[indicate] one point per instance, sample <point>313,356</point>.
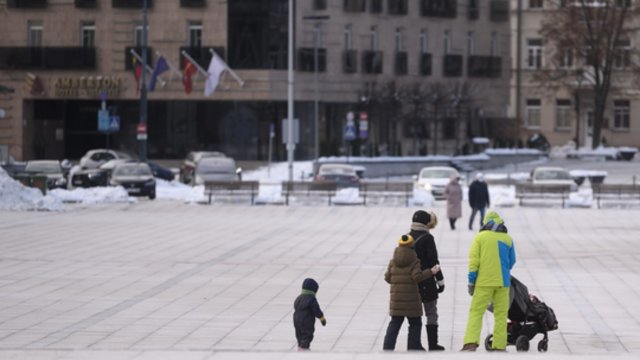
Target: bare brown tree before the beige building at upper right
<point>597,33</point>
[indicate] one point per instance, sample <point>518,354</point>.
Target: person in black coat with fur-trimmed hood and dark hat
<point>425,247</point>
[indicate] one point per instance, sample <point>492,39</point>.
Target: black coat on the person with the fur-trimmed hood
<point>425,247</point>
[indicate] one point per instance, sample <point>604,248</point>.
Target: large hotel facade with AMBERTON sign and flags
<point>427,76</point>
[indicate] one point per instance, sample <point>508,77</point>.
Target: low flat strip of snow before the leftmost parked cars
<point>96,195</point>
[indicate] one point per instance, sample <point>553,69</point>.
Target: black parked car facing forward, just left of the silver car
<point>136,178</point>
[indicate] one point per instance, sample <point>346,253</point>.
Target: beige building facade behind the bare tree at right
<point>563,111</point>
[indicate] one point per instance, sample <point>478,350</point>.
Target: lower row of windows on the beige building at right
<point>564,113</point>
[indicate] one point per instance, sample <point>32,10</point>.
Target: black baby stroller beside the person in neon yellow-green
<point>528,316</point>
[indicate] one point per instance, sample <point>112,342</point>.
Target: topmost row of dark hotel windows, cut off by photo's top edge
<point>499,9</point>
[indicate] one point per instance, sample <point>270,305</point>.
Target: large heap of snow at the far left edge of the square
<point>15,196</point>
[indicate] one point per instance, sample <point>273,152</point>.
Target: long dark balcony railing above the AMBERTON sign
<point>48,58</point>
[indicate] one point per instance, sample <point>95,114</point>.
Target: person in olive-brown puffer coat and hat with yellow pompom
<point>403,274</point>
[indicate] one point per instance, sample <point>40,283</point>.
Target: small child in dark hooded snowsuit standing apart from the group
<point>306,310</point>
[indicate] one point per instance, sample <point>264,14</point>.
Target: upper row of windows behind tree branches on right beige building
<point>566,58</point>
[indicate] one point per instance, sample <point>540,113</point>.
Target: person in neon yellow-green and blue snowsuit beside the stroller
<point>491,259</point>
